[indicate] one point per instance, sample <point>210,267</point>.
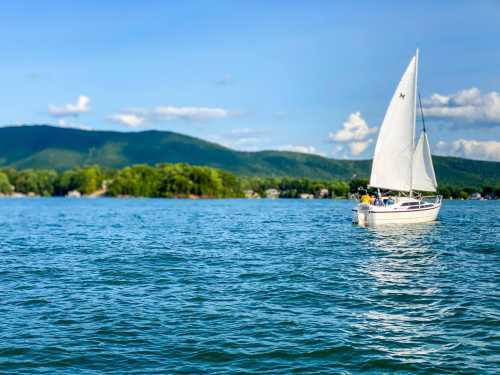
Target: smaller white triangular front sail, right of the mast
<point>423,177</point>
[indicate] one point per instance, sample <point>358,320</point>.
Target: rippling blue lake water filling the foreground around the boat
<point>166,286</point>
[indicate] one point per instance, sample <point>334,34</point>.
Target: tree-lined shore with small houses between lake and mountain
<point>188,181</point>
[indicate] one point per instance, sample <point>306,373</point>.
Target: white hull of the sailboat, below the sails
<point>367,216</point>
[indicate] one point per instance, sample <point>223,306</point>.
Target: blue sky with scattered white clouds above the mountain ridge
<point>308,76</point>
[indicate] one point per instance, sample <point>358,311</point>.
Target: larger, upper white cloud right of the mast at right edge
<point>469,105</point>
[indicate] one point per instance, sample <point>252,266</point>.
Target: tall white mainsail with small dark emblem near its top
<point>392,160</point>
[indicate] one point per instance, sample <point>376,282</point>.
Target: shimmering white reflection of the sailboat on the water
<point>402,261</point>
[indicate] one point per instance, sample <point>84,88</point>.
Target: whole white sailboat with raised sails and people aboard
<point>401,170</point>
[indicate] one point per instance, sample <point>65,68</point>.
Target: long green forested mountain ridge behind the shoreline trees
<point>43,146</point>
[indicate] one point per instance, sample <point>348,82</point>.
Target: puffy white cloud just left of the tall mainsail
<point>354,137</point>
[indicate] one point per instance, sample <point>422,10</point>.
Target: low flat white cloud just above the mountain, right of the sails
<point>471,149</point>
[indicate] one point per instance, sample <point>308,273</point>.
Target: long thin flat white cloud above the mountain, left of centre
<point>138,117</point>
